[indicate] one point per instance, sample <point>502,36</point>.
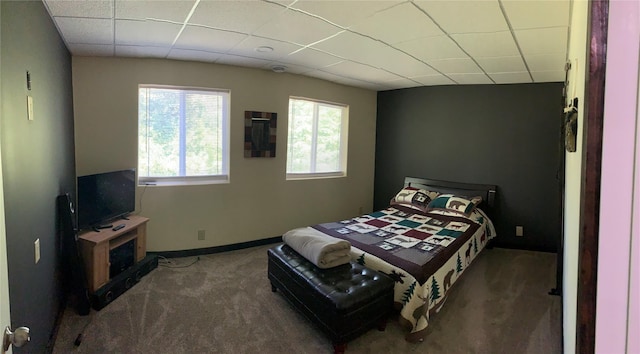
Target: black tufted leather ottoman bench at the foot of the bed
<point>343,301</point>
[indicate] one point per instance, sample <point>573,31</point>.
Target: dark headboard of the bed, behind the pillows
<point>486,191</point>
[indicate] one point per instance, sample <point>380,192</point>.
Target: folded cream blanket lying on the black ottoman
<point>320,249</point>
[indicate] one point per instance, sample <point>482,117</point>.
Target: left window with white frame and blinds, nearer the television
<point>182,135</point>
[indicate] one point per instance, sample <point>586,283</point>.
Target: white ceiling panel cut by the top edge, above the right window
<point>344,13</point>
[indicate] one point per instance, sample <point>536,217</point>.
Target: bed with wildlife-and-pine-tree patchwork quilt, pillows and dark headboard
<point>424,240</point>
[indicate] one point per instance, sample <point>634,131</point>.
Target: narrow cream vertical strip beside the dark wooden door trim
<point>577,54</point>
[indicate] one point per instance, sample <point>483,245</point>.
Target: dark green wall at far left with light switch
<point>37,162</point>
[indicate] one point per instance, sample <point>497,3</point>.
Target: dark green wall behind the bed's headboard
<point>507,135</point>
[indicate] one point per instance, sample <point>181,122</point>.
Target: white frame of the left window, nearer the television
<point>223,177</point>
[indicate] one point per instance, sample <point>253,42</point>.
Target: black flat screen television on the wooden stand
<point>102,197</point>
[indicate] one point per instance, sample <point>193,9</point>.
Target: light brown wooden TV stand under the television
<point>95,247</point>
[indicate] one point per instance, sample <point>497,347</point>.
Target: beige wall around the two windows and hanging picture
<point>258,202</point>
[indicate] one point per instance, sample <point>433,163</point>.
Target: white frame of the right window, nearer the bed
<point>344,135</point>
